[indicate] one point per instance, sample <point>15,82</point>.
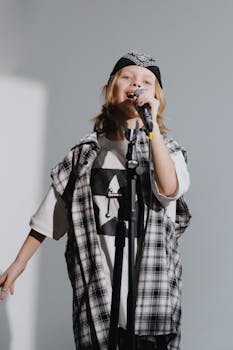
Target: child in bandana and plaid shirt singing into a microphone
<point>87,198</point>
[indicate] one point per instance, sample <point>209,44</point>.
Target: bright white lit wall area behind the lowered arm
<point>23,105</point>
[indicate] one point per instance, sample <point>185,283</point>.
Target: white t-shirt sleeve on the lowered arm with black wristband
<point>50,219</point>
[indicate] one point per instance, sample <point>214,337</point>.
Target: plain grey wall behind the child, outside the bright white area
<point>71,46</point>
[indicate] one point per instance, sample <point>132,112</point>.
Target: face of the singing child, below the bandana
<point>131,78</point>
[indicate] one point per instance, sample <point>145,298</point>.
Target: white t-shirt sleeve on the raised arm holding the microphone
<point>182,177</point>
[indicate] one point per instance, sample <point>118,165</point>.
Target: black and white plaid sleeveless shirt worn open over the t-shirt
<point>158,307</point>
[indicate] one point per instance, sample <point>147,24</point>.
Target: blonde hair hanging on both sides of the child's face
<point>104,123</point>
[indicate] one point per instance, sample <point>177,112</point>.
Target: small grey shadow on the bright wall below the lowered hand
<point>5,334</point>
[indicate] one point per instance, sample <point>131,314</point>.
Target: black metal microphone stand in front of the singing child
<point>132,165</point>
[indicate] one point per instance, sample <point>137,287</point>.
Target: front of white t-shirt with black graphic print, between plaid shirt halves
<point>109,190</point>
